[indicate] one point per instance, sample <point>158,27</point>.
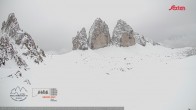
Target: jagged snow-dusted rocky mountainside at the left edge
<point>17,51</point>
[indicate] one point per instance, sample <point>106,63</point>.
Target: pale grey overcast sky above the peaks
<point>53,23</point>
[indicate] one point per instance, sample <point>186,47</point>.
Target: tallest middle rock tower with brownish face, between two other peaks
<point>99,35</point>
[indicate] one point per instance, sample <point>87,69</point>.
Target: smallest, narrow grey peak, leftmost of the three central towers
<point>80,41</point>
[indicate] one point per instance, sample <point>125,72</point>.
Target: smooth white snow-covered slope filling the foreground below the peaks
<point>136,77</point>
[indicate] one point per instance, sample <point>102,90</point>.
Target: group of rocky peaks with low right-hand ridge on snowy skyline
<point>99,36</point>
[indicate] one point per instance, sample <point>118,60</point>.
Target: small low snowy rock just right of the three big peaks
<point>140,39</point>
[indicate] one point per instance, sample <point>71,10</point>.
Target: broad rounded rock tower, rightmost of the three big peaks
<point>123,35</point>
